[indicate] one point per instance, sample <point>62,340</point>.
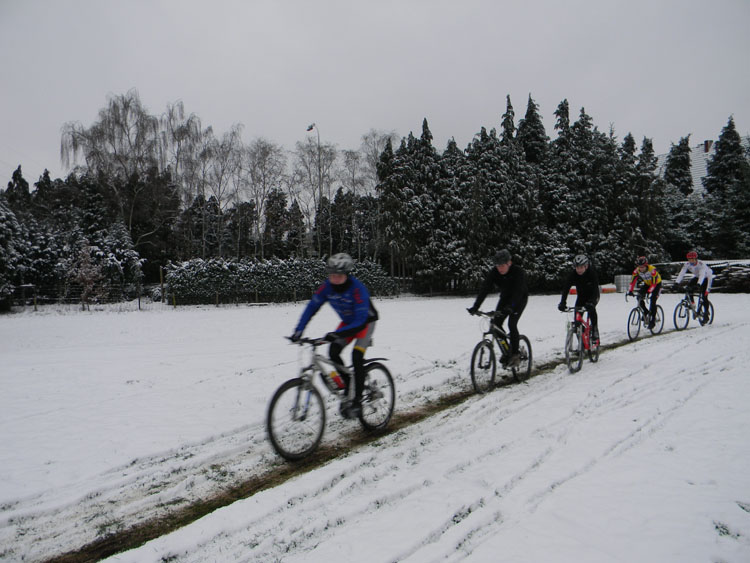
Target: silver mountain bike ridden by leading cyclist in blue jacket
<point>296,414</point>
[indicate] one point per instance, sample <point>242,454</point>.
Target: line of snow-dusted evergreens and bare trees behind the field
<point>148,191</point>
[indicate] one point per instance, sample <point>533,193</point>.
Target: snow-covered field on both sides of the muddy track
<point>109,419</point>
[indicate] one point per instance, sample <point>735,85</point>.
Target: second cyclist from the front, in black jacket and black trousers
<point>514,294</point>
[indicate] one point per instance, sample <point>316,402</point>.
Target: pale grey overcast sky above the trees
<point>661,69</point>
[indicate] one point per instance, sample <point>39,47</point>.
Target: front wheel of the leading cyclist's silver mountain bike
<point>296,419</point>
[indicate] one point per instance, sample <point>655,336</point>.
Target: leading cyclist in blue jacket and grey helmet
<point>351,300</point>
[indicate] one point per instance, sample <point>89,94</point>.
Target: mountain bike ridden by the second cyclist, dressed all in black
<point>484,359</point>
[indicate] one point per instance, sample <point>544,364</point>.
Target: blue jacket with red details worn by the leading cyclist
<point>350,300</point>
